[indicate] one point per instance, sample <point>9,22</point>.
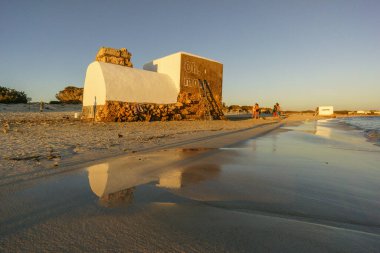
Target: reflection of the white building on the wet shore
<point>114,183</point>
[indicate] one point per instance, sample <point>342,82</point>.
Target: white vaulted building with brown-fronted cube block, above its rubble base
<point>162,82</point>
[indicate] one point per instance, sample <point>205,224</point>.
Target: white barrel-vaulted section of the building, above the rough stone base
<point>111,82</point>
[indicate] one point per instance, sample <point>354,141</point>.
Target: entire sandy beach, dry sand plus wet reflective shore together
<point>295,185</point>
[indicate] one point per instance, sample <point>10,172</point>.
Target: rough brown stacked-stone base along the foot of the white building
<point>114,111</point>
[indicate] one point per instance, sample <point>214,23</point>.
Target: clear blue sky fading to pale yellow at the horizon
<point>299,53</point>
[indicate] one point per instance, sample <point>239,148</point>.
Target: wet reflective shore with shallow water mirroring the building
<point>312,187</point>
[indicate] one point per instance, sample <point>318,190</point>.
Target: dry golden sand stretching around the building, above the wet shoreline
<point>39,143</point>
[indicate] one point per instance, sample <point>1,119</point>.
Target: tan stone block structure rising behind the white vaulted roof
<point>115,56</point>
